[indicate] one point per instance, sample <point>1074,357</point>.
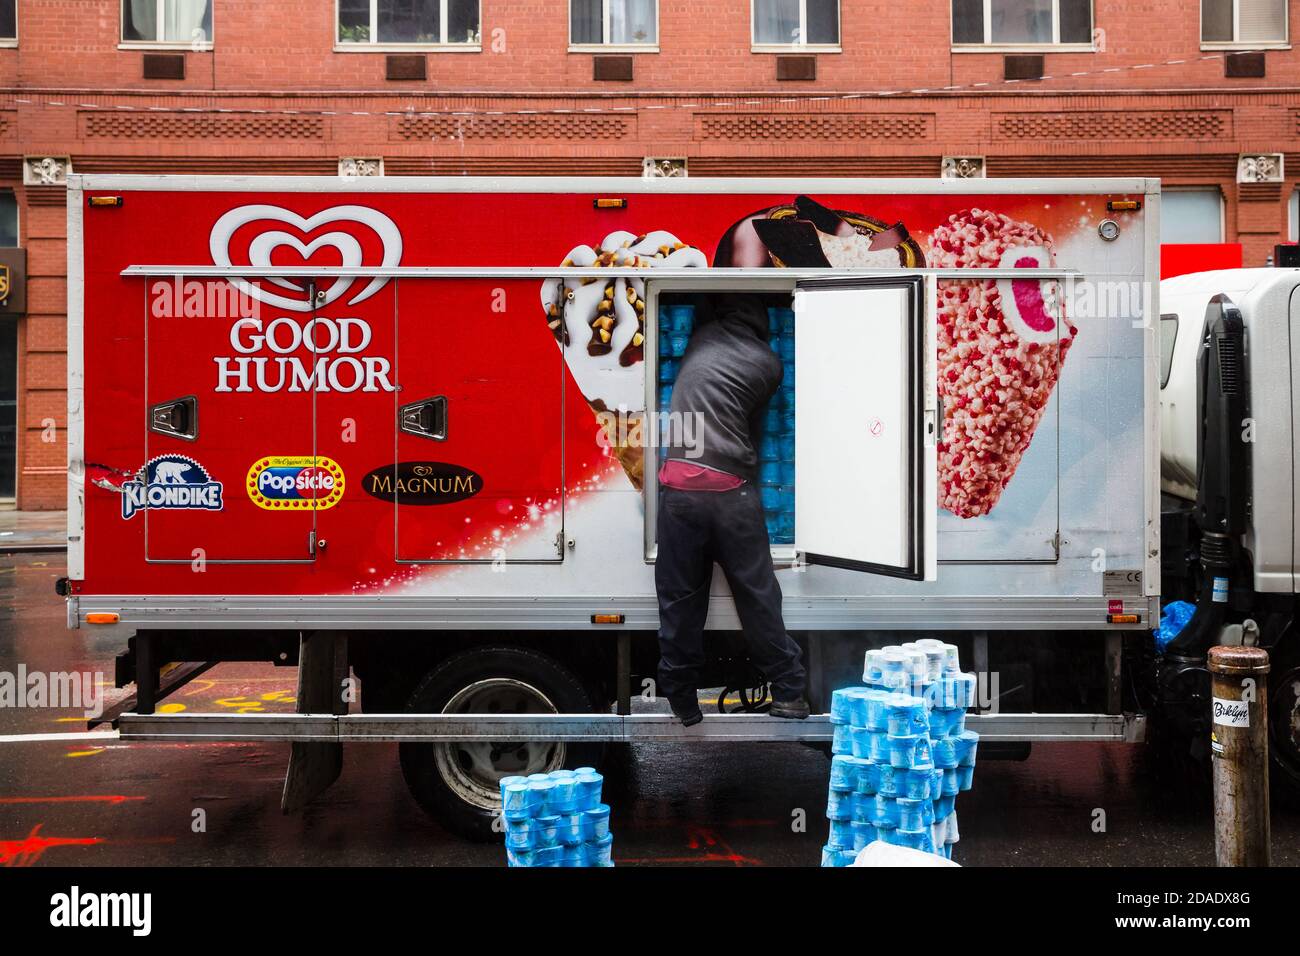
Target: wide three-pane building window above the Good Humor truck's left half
<point>409,23</point>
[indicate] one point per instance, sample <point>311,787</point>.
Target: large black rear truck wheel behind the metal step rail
<point>457,784</point>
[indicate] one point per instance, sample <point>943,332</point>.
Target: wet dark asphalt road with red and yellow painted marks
<point>110,803</point>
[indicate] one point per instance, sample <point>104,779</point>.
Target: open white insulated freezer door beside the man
<point>866,425</point>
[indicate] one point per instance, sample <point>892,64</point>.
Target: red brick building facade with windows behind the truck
<point>736,88</point>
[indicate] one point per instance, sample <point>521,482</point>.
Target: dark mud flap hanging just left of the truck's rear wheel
<point>322,672</point>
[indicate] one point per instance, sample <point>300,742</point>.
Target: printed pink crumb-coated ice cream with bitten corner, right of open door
<point>1002,344</point>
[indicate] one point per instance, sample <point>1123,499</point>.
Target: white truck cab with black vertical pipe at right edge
<point>1229,455</point>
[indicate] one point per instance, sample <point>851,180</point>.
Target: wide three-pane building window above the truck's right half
<point>1022,23</point>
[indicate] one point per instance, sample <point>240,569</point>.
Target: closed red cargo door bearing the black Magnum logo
<point>479,425</point>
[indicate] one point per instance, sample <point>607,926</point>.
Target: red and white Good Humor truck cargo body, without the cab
<point>402,434</point>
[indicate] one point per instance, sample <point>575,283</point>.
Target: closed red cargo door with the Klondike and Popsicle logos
<point>231,470</point>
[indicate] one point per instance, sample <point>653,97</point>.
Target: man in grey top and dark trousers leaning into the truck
<point>710,508</point>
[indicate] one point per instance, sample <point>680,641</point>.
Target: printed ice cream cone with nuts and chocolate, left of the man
<point>601,328</point>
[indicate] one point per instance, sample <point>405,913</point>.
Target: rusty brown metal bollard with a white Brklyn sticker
<point>1240,738</point>
